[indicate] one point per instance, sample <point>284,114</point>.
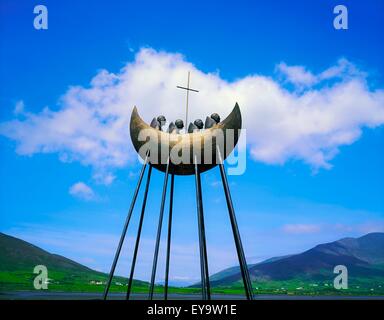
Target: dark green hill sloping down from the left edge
<point>18,259</point>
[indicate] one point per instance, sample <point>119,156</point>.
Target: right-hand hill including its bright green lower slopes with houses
<point>312,270</point>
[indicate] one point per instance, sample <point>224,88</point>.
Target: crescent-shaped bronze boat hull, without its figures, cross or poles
<point>206,148</point>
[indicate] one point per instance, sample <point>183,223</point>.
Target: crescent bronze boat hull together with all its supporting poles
<point>182,154</point>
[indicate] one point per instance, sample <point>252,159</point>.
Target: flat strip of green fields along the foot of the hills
<point>95,283</point>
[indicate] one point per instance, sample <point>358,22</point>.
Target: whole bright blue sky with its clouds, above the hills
<point>285,202</point>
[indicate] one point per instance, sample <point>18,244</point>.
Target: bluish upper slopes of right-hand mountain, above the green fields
<point>364,257</point>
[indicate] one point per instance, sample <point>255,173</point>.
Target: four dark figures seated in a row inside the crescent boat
<point>178,126</point>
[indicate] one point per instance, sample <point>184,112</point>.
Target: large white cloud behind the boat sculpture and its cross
<point>92,123</point>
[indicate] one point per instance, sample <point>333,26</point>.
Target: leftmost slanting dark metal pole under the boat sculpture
<point>124,232</point>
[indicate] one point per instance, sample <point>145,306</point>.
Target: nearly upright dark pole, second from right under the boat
<point>206,291</point>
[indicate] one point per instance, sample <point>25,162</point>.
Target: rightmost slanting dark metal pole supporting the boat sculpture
<point>236,234</point>
